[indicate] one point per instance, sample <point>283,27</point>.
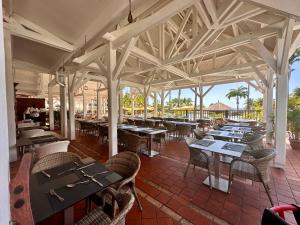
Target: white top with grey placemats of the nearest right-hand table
<point>218,145</point>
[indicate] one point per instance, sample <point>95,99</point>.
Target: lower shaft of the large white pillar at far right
<point>281,119</point>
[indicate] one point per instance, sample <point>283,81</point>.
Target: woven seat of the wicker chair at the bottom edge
<point>95,217</point>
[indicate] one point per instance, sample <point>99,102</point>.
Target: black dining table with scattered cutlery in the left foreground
<point>67,185</point>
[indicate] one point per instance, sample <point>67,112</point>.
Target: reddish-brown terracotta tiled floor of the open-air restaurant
<point>169,198</point>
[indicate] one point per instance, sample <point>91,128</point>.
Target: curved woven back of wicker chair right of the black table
<point>127,164</point>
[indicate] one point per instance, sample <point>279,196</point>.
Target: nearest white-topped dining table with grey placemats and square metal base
<point>219,148</point>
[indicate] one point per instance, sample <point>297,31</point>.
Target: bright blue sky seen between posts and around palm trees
<point>219,91</point>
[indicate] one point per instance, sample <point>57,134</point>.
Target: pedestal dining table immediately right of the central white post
<point>149,131</point>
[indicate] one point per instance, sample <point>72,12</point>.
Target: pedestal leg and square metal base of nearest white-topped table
<point>217,181</point>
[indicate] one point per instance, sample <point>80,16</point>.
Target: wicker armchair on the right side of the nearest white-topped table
<point>255,168</point>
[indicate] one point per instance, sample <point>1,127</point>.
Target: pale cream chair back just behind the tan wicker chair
<point>47,149</point>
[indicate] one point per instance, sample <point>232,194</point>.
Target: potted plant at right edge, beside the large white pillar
<point>294,128</point>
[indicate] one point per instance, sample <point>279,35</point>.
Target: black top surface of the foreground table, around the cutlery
<point>44,205</point>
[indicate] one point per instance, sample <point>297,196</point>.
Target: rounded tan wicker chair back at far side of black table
<point>54,160</point>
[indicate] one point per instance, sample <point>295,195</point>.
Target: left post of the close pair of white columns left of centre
<point>63,107</point>
